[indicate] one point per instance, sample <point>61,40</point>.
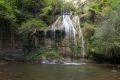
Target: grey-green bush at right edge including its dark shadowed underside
<point>107,36</point>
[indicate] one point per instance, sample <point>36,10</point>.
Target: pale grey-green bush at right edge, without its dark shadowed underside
<point>109,30</point>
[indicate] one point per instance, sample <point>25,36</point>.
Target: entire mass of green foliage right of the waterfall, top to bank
<point>106,40</point>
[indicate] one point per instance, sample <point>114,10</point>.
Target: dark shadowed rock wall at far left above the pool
<point>10,44</point>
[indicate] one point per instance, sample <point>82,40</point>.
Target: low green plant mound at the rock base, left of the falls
<point>49,53</point>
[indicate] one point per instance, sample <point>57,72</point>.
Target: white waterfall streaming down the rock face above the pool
<point>73,31</point>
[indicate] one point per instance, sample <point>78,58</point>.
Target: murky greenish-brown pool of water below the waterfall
<point>58,72</point>
